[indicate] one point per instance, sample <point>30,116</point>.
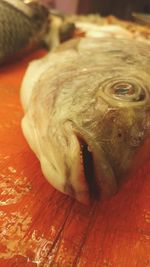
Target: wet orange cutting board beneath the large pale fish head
<point>40,226</point>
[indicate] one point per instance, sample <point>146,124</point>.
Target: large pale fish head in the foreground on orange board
<point>87,114</point>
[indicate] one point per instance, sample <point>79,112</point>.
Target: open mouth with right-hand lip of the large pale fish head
<point>98,174</point>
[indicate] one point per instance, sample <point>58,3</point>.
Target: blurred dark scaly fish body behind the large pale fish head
<point>21,28</point>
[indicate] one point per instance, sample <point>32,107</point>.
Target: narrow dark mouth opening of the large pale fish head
<point>89,170</point>
